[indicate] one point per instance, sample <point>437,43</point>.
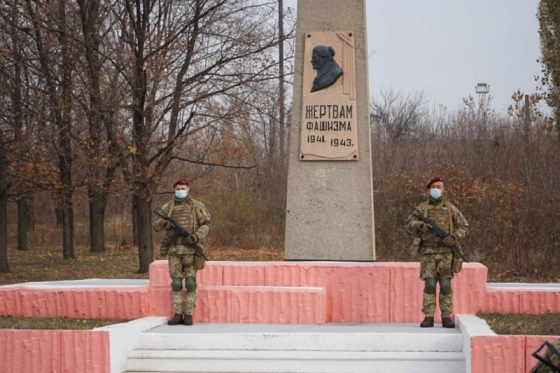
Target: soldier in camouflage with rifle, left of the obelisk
<point>183,261</point>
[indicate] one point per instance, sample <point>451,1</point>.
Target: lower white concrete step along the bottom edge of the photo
<point>295,361</point>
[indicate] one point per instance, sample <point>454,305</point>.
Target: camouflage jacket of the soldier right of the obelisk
<point>439,211</point>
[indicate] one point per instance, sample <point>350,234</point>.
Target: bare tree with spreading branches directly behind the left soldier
<point>180,60</point>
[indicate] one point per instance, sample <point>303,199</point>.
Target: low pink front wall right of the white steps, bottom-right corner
<point>505,353</point>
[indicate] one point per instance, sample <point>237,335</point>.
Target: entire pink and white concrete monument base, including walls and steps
<point>357,315</point>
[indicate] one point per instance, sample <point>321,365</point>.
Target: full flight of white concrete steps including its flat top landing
<point>298,348</point>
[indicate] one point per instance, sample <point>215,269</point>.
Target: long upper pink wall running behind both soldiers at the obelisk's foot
<point>354,292</point>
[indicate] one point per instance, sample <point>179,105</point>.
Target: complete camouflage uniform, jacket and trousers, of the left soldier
<point>194,217</point>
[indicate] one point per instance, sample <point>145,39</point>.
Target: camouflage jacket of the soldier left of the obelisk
<point>191,215</point>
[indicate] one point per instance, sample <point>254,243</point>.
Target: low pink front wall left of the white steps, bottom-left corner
<point>54,351</point>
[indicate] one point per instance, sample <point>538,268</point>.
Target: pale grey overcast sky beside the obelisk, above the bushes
<point>443,48</point>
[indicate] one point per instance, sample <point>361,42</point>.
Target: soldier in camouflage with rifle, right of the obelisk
<point>437,261</point>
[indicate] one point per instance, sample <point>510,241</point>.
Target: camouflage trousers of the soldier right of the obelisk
<point>438,267</point>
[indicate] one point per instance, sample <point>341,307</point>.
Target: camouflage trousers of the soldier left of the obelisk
<point>181,266</point>
